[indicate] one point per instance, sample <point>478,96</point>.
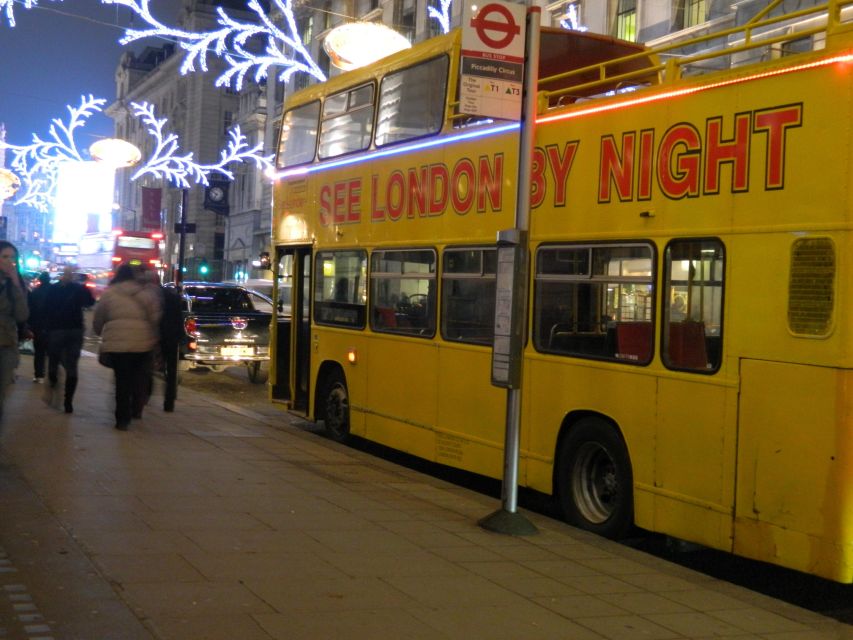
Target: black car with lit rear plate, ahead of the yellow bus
<point>225,325</point>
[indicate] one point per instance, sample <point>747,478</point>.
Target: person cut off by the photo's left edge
<point>13,313</point>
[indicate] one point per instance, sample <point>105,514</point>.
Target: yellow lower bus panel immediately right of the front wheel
<point>402,379</point>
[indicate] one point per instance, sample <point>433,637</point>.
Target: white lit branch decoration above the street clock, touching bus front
<point>167,163</point>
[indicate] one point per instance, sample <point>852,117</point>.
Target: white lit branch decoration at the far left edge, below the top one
<point>37,163</point>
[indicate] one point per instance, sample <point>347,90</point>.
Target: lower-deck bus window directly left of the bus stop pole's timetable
<point>468,295</point>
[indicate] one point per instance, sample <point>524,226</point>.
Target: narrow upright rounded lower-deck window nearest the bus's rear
<point>693,305</point>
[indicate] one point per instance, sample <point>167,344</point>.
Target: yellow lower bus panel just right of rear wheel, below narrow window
<point>694,459</point>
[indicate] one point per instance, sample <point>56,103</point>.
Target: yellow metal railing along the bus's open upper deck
<point>671,70</point>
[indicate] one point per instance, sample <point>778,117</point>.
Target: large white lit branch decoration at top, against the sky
<point>232,42</point>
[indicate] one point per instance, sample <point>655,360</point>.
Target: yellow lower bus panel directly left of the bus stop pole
<point>471,412</point>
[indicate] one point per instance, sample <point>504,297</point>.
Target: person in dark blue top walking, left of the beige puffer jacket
<point>65,302</point>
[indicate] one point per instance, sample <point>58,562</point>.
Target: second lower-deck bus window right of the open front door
<point>402,291</point>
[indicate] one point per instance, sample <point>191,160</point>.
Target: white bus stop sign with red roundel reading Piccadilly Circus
<point>492,60</point>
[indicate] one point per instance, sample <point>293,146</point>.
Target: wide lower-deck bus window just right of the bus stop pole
<point>595,301</point>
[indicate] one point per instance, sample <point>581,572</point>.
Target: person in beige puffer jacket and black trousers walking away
<point>127,318</point>
